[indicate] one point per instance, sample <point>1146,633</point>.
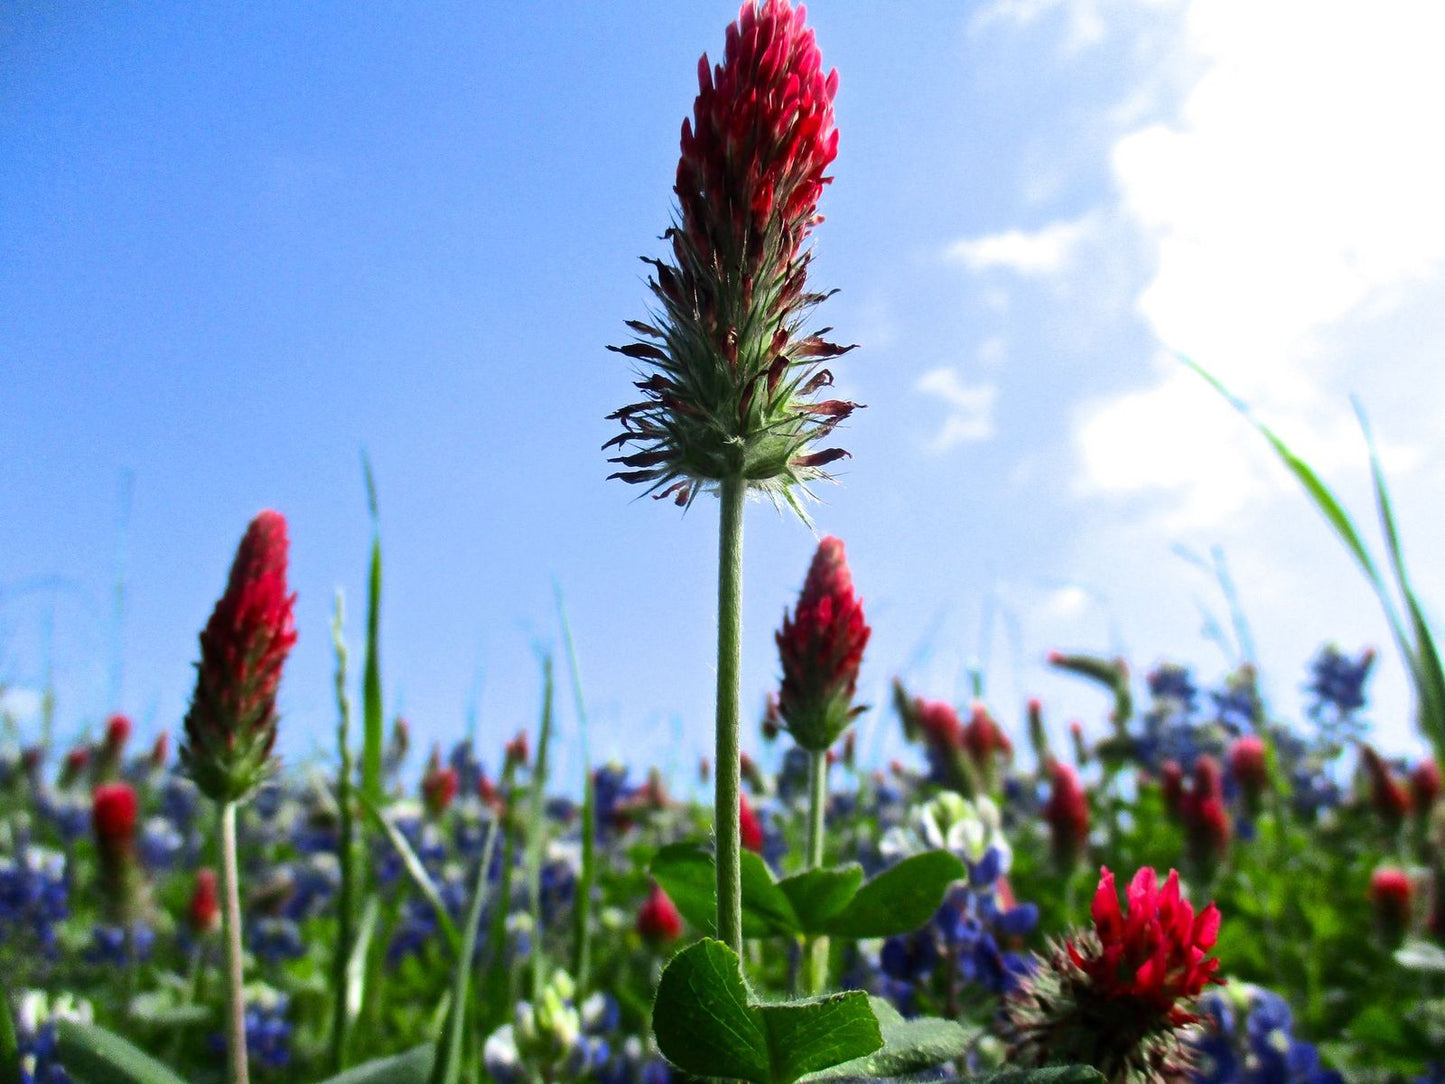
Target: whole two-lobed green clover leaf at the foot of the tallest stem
<point>709,1025</point>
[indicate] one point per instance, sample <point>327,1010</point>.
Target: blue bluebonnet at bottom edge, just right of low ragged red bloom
<point>1248,1040</point>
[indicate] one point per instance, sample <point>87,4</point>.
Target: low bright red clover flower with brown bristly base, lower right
<point>1119,997</point>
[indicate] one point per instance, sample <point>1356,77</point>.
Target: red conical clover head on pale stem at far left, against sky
<point>230,729</point>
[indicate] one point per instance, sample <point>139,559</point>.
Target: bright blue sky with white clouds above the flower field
<point>241,246</point>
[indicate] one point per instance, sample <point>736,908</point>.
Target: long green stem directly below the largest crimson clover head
<point>733,492</point>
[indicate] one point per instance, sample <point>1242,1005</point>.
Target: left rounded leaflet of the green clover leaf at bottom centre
<point>703,1018</point>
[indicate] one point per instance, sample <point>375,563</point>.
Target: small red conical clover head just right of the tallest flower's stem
<point>821,650</point>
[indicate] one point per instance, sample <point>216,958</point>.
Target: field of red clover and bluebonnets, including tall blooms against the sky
<point>1209,892</point>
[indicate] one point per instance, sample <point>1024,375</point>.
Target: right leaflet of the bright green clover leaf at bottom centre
<point>806,1037</point>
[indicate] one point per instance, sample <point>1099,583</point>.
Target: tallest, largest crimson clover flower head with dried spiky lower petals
<point>733,372</point>
